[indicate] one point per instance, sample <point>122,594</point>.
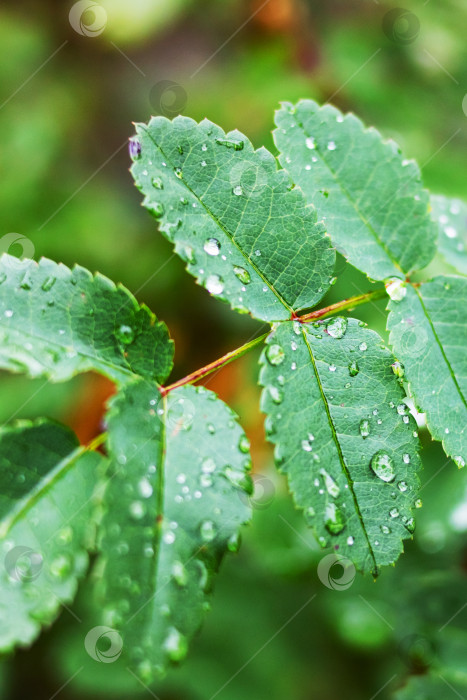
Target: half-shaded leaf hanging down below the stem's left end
<point>174,505</point>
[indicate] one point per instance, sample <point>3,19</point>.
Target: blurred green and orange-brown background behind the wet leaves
<point>68,96</point>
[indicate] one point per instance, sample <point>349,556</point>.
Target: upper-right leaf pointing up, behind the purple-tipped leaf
<point>370,199</point>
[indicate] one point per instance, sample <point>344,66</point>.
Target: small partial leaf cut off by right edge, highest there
<point>451,215</point>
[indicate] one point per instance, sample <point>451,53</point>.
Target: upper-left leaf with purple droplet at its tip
<point>245,234</point>
